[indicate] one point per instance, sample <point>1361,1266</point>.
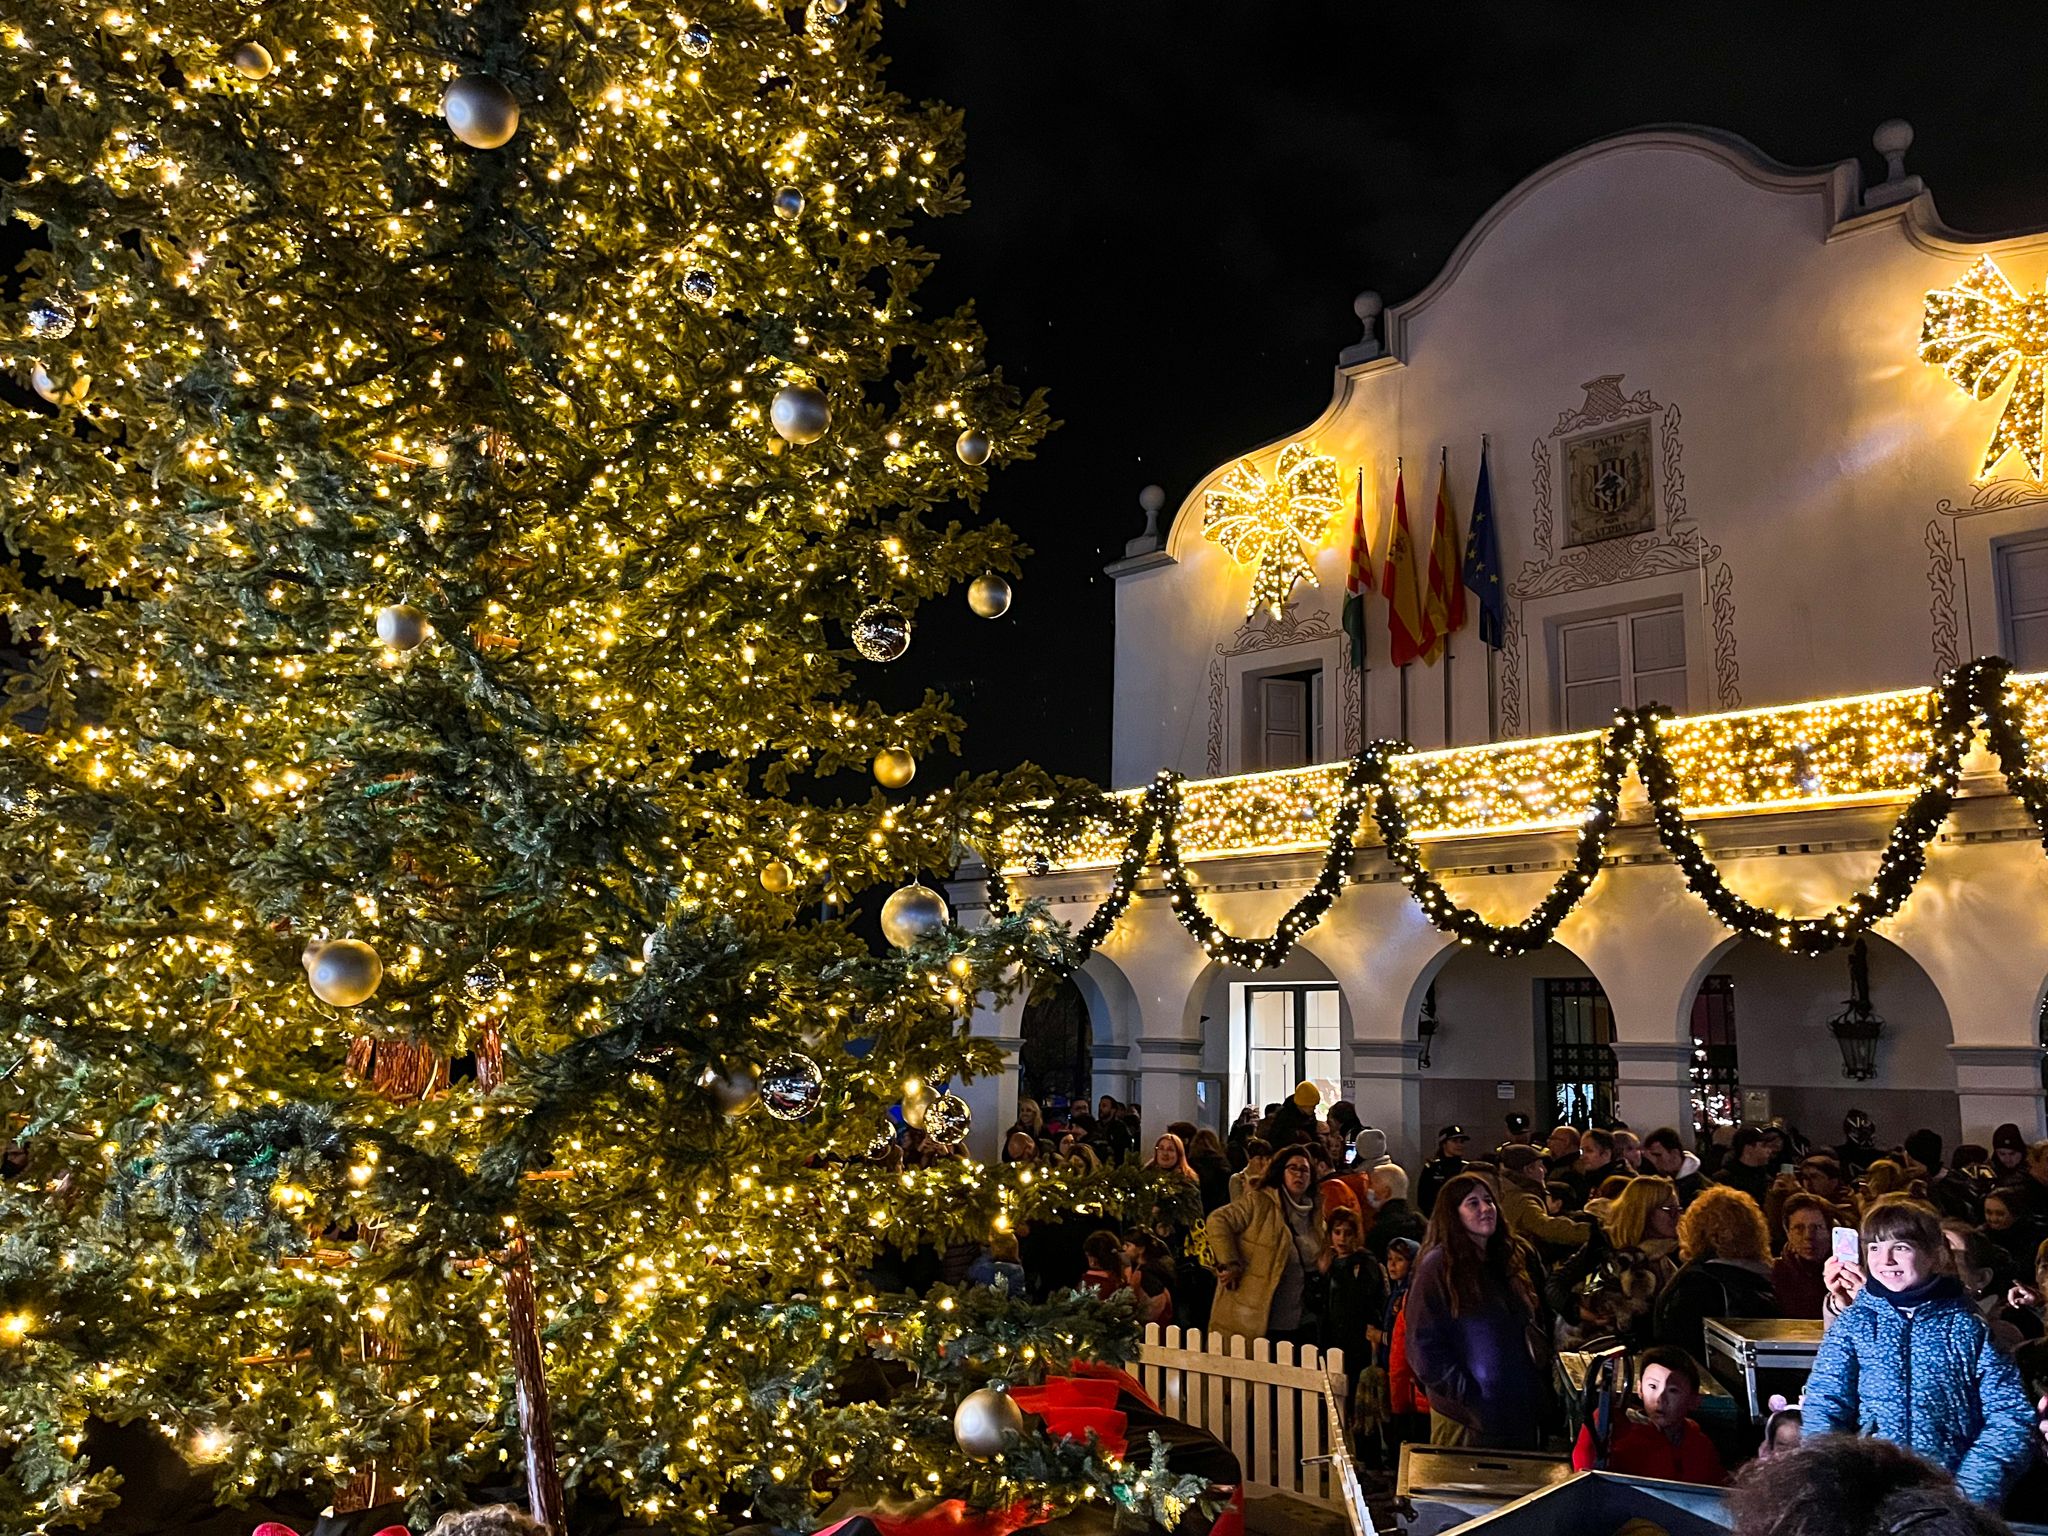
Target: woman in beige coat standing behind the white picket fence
<point>1271,1248</point>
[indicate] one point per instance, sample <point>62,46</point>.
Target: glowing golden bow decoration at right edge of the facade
<point>1983,333</point>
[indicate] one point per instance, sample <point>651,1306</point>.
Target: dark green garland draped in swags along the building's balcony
<point>1969,695</point>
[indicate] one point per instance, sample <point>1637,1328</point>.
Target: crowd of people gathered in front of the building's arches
<point>1453,1306</point>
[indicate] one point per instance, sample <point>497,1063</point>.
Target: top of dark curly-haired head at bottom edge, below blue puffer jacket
<point>1846,1486</point>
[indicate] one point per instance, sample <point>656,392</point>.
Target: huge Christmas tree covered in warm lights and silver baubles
<point>480,452</point>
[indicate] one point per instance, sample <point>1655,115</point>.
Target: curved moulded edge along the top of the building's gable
<point>1836,187</point>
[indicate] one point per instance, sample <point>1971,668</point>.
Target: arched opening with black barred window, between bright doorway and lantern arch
<point>1512,1035</point>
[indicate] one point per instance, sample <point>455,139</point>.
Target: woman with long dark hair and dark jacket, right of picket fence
<point>1474,1334</point>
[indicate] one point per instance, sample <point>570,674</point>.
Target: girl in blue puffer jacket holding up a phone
<point>1914,1363</point>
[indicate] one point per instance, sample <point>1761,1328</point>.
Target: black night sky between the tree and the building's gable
<point>1177,204</point>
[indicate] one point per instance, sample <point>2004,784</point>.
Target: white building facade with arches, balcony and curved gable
<point>1723,480</point>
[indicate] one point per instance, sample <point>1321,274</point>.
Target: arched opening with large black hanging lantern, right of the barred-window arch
<point>1764,1050</point>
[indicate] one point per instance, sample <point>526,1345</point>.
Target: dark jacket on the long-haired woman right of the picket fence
<point>1476,1365</point>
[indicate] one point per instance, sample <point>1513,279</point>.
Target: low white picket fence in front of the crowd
<point>1279,1410</point>
